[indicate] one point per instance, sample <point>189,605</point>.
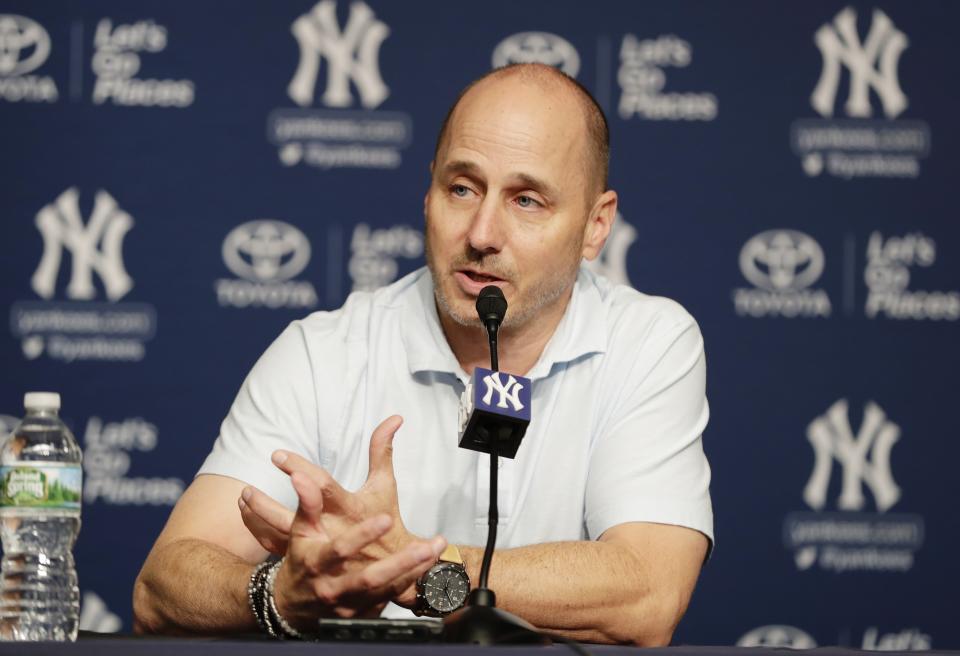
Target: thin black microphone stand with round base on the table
<point>480,621</point>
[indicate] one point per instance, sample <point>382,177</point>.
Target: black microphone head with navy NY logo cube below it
<point>495,408</point>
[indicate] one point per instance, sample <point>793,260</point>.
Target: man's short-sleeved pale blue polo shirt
<point>618,411</point>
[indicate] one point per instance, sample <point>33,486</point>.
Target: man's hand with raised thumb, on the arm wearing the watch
<point>273,525</point>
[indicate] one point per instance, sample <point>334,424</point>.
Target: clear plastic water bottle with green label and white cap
<point>40,485</point>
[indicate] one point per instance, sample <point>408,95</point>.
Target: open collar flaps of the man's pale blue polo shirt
<point>581,332</point>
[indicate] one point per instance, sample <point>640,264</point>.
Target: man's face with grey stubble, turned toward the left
<point>507,203</point>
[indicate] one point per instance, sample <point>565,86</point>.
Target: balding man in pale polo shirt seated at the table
<point>605,512</point>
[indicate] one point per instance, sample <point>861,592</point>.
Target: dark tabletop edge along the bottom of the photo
<point>90,645</point>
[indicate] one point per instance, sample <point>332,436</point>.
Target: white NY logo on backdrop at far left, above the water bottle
<point>62,227</point>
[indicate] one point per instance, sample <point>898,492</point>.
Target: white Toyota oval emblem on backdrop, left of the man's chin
<point>266,251</point>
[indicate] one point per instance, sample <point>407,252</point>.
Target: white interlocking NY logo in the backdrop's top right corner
<point>840,43</point>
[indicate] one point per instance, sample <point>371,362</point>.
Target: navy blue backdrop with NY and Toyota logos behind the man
<point>181,180</point>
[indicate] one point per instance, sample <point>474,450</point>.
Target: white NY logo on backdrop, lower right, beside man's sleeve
<point>832,438</point>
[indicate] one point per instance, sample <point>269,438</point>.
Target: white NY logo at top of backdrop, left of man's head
<point>351,55</point>
